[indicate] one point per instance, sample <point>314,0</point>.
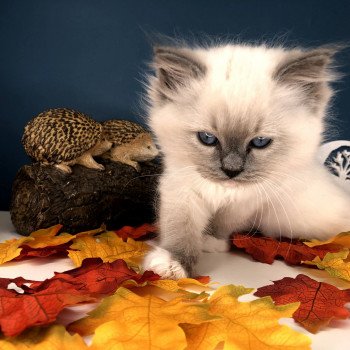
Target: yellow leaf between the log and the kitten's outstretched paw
<point>107,246</point>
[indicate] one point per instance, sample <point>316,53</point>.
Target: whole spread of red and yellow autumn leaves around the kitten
<point>135,309</point>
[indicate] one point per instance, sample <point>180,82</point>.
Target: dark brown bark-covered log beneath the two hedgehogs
<point>43,196</point>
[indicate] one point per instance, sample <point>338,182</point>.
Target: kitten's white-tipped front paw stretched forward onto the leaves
<point>160,261</point>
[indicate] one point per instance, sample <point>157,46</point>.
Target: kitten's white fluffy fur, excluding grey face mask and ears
<point>297,198</point>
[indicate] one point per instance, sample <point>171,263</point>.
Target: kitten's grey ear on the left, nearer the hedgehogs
<point>175,67</point>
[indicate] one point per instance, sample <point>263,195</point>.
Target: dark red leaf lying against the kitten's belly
<point>267,249</point>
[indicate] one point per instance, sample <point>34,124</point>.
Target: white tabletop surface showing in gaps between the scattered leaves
<point>225,268</point>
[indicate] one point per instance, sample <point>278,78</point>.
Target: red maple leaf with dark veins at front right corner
<point>320,302</point>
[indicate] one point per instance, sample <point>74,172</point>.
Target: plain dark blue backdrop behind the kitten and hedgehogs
<point>88,54</point>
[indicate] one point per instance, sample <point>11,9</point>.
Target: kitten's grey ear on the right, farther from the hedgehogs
<point>311,71</point>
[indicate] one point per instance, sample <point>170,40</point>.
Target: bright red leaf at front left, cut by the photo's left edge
<point>19,311</point>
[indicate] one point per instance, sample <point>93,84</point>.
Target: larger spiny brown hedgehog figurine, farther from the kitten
<point>64,137</point>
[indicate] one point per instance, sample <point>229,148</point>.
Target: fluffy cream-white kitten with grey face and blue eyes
<point>239,127</point>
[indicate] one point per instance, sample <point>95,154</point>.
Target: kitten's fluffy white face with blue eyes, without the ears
<point>234,120</point>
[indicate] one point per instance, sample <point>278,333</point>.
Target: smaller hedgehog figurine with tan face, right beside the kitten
<point>131,143</point>
